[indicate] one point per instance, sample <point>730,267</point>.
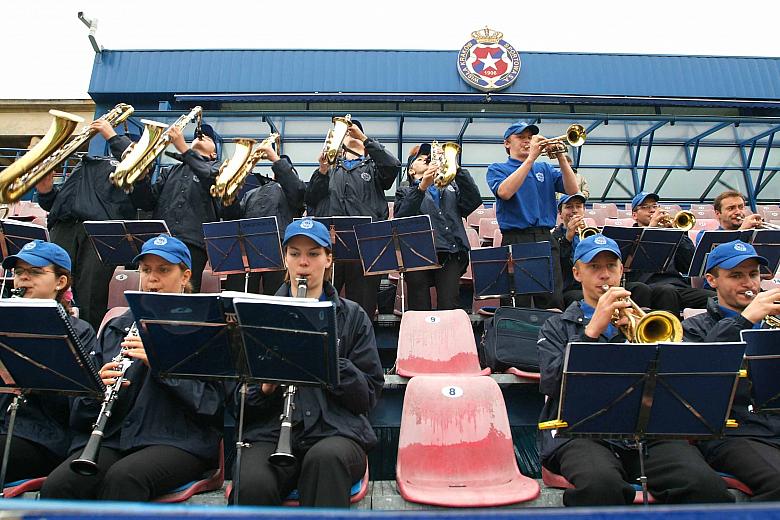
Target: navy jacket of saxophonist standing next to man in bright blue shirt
<point>458,200</point>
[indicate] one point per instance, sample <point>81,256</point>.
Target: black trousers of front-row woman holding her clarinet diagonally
<point>138,476</point>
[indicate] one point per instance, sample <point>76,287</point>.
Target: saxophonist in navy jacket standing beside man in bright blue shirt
<point>445,205</point>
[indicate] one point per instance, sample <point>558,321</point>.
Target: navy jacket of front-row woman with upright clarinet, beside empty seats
<point>323,413</point>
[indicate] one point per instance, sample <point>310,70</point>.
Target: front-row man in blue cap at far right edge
<point>750,452</point>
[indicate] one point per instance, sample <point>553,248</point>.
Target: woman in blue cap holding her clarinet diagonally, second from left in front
<point>163,432</point>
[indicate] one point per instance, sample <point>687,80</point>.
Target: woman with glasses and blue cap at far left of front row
<point>42,270</point>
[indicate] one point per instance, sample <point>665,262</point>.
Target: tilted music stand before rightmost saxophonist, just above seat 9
<point>402,244</point>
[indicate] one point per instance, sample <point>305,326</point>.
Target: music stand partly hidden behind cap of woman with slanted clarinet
<point>117,242</point>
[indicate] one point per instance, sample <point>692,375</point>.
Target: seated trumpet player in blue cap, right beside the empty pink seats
<point>602,471</point>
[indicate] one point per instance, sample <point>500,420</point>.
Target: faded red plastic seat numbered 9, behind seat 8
<point>437,342</point>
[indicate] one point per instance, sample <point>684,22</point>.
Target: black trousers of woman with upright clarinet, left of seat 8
<point>323,474</point>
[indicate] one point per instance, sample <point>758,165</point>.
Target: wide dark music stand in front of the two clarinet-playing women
<point>240,337</point>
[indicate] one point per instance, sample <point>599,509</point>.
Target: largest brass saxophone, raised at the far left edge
<point>22,176</point>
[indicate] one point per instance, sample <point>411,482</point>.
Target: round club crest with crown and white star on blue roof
<point>487,62</point>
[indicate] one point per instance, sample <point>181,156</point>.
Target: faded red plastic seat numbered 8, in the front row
<point>455,446</point>
